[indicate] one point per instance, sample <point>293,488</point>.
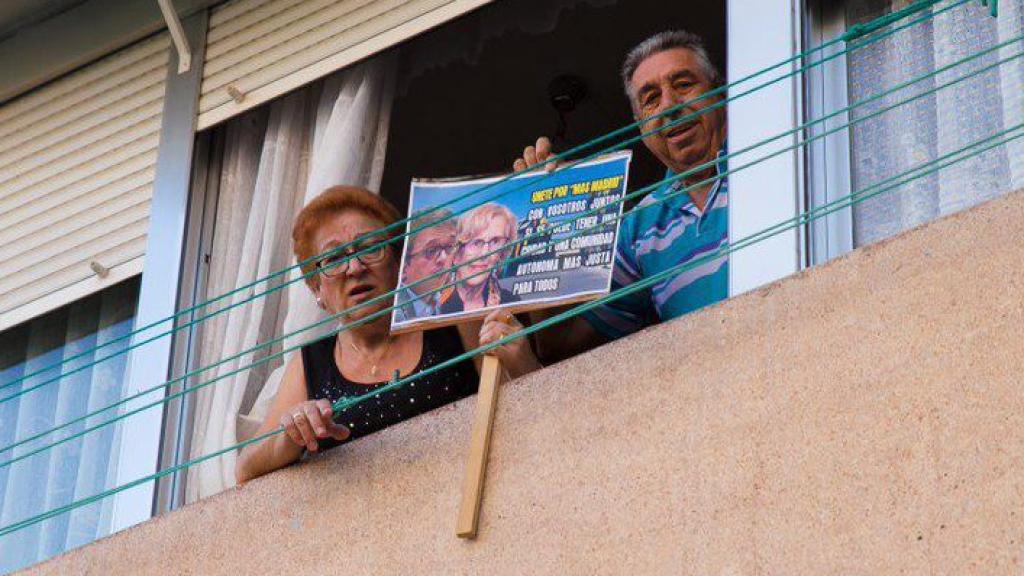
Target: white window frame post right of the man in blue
<point>761,34</point>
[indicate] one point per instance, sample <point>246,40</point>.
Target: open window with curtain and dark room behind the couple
<point>463,99</point>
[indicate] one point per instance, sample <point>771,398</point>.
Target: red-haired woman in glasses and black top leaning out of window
<point>362,359</point>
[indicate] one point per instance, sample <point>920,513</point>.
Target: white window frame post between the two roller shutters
<point>151,365</point>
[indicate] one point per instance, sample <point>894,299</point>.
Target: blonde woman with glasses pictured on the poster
<point>482,233</point>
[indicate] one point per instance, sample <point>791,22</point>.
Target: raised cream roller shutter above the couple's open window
<point>261,50</point>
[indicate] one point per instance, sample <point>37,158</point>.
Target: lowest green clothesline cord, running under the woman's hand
<point>805,218</point>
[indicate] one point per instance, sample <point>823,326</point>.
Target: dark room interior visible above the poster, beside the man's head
<point>474,93</point>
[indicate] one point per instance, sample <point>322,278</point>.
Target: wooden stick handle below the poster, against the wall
<point>473,488</point>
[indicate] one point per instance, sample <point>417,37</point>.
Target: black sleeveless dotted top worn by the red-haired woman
<point>441,388</point>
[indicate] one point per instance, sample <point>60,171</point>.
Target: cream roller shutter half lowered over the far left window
<point>77,164</point>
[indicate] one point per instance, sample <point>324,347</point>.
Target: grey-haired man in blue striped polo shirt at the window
<point>668,228</point>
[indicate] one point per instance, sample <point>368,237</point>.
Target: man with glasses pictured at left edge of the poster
<point>431,252</point>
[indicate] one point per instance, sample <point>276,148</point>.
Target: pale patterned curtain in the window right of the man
<point>938,125</point>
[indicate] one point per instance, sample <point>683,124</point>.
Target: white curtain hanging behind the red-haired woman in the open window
<point>334,133</point>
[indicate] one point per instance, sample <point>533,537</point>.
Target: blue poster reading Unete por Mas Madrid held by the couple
<point>533,241</point>
